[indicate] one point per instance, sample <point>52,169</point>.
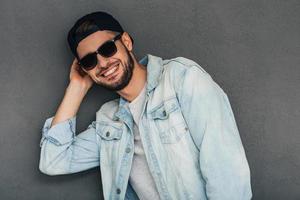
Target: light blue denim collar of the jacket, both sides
<point>154,65</point>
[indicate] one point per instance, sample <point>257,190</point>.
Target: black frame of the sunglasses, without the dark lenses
<point>98,51</point>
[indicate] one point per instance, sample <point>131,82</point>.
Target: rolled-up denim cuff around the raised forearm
<point>60,133</point>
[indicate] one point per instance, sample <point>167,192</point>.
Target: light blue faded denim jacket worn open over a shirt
<point>188,130</point>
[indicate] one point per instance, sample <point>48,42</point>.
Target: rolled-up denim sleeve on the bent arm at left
<point>64,152</point>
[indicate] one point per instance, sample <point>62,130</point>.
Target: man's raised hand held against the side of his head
<point>80,77</point>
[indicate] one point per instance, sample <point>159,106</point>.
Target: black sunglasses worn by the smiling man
<point>107,49</point>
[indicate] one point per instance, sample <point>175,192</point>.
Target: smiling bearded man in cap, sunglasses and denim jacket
<point>171,134</point>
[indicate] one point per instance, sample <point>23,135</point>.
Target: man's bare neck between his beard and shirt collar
<point>136,84</point>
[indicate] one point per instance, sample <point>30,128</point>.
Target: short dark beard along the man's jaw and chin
<point>125,78</point>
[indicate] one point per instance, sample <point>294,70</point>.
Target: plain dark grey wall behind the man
<point>251,48</point>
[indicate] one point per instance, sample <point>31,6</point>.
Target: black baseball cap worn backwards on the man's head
<point>102,20</point>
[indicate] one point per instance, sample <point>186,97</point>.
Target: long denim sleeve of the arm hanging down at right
<point>211,122</point>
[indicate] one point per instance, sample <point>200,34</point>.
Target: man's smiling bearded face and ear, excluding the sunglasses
<point>115,72</point>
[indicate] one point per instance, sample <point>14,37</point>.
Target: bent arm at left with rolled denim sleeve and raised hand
<point>63,152</point>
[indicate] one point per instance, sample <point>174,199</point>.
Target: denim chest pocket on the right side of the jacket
<point>169,122</point>
